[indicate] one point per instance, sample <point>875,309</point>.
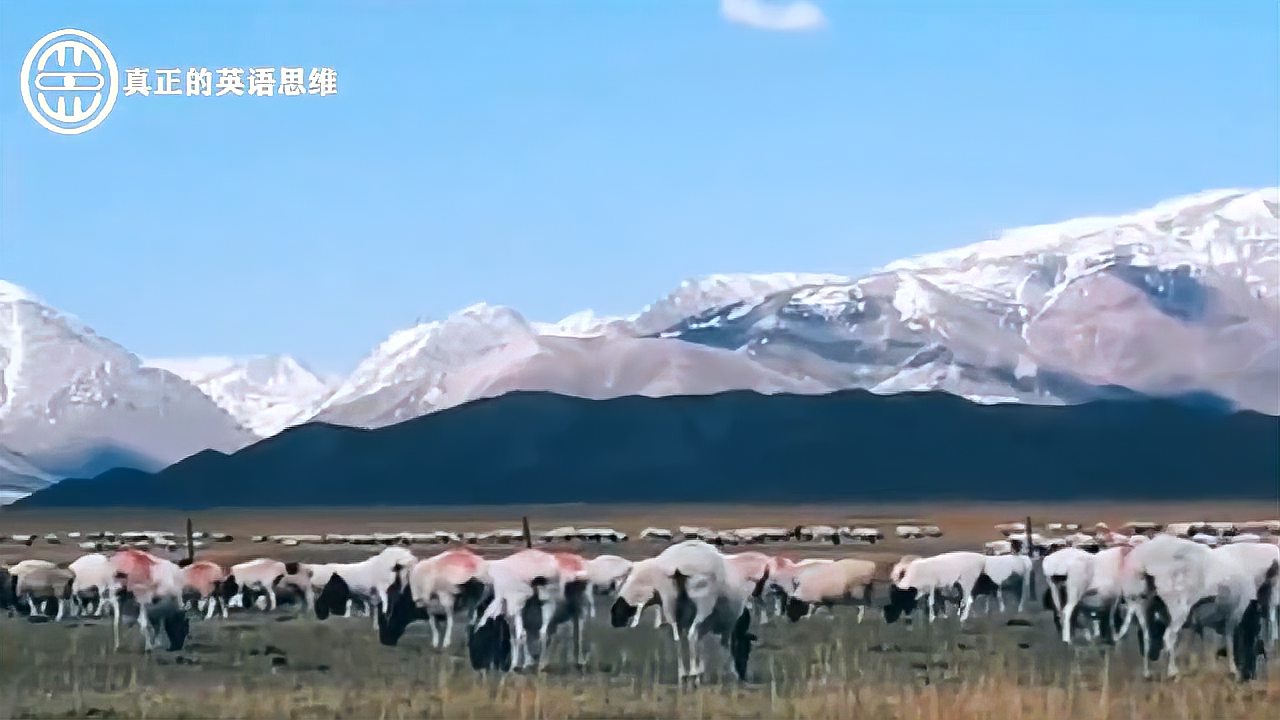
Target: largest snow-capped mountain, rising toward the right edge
<point>1178,299</point>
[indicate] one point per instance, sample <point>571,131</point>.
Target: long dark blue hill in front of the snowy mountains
<point>739,446</point>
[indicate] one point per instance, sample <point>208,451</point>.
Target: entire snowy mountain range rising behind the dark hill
<point>1182,298</point>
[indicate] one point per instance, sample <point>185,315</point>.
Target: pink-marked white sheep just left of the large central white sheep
<point>531,587</point>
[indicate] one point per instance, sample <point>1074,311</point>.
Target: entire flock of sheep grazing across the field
<point>1163,581</point>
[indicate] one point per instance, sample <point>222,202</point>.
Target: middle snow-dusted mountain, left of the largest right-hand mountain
<point>486,350</point>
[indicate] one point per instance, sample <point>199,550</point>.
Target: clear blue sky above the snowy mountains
<point>565,154</point>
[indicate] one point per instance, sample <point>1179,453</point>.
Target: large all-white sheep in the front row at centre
<point>701,594</point>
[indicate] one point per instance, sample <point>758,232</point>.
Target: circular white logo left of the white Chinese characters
<point>70,81</point>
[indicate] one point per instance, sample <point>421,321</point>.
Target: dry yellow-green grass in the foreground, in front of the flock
<point>820,668</point>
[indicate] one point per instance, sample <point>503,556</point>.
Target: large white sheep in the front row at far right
<point>1173,584</point>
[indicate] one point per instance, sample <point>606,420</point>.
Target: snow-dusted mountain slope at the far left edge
<point>75,403</point>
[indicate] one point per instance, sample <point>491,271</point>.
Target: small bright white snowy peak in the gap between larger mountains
<point>266,394</point>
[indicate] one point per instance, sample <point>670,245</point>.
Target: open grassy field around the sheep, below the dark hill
<point>996,668</point>
